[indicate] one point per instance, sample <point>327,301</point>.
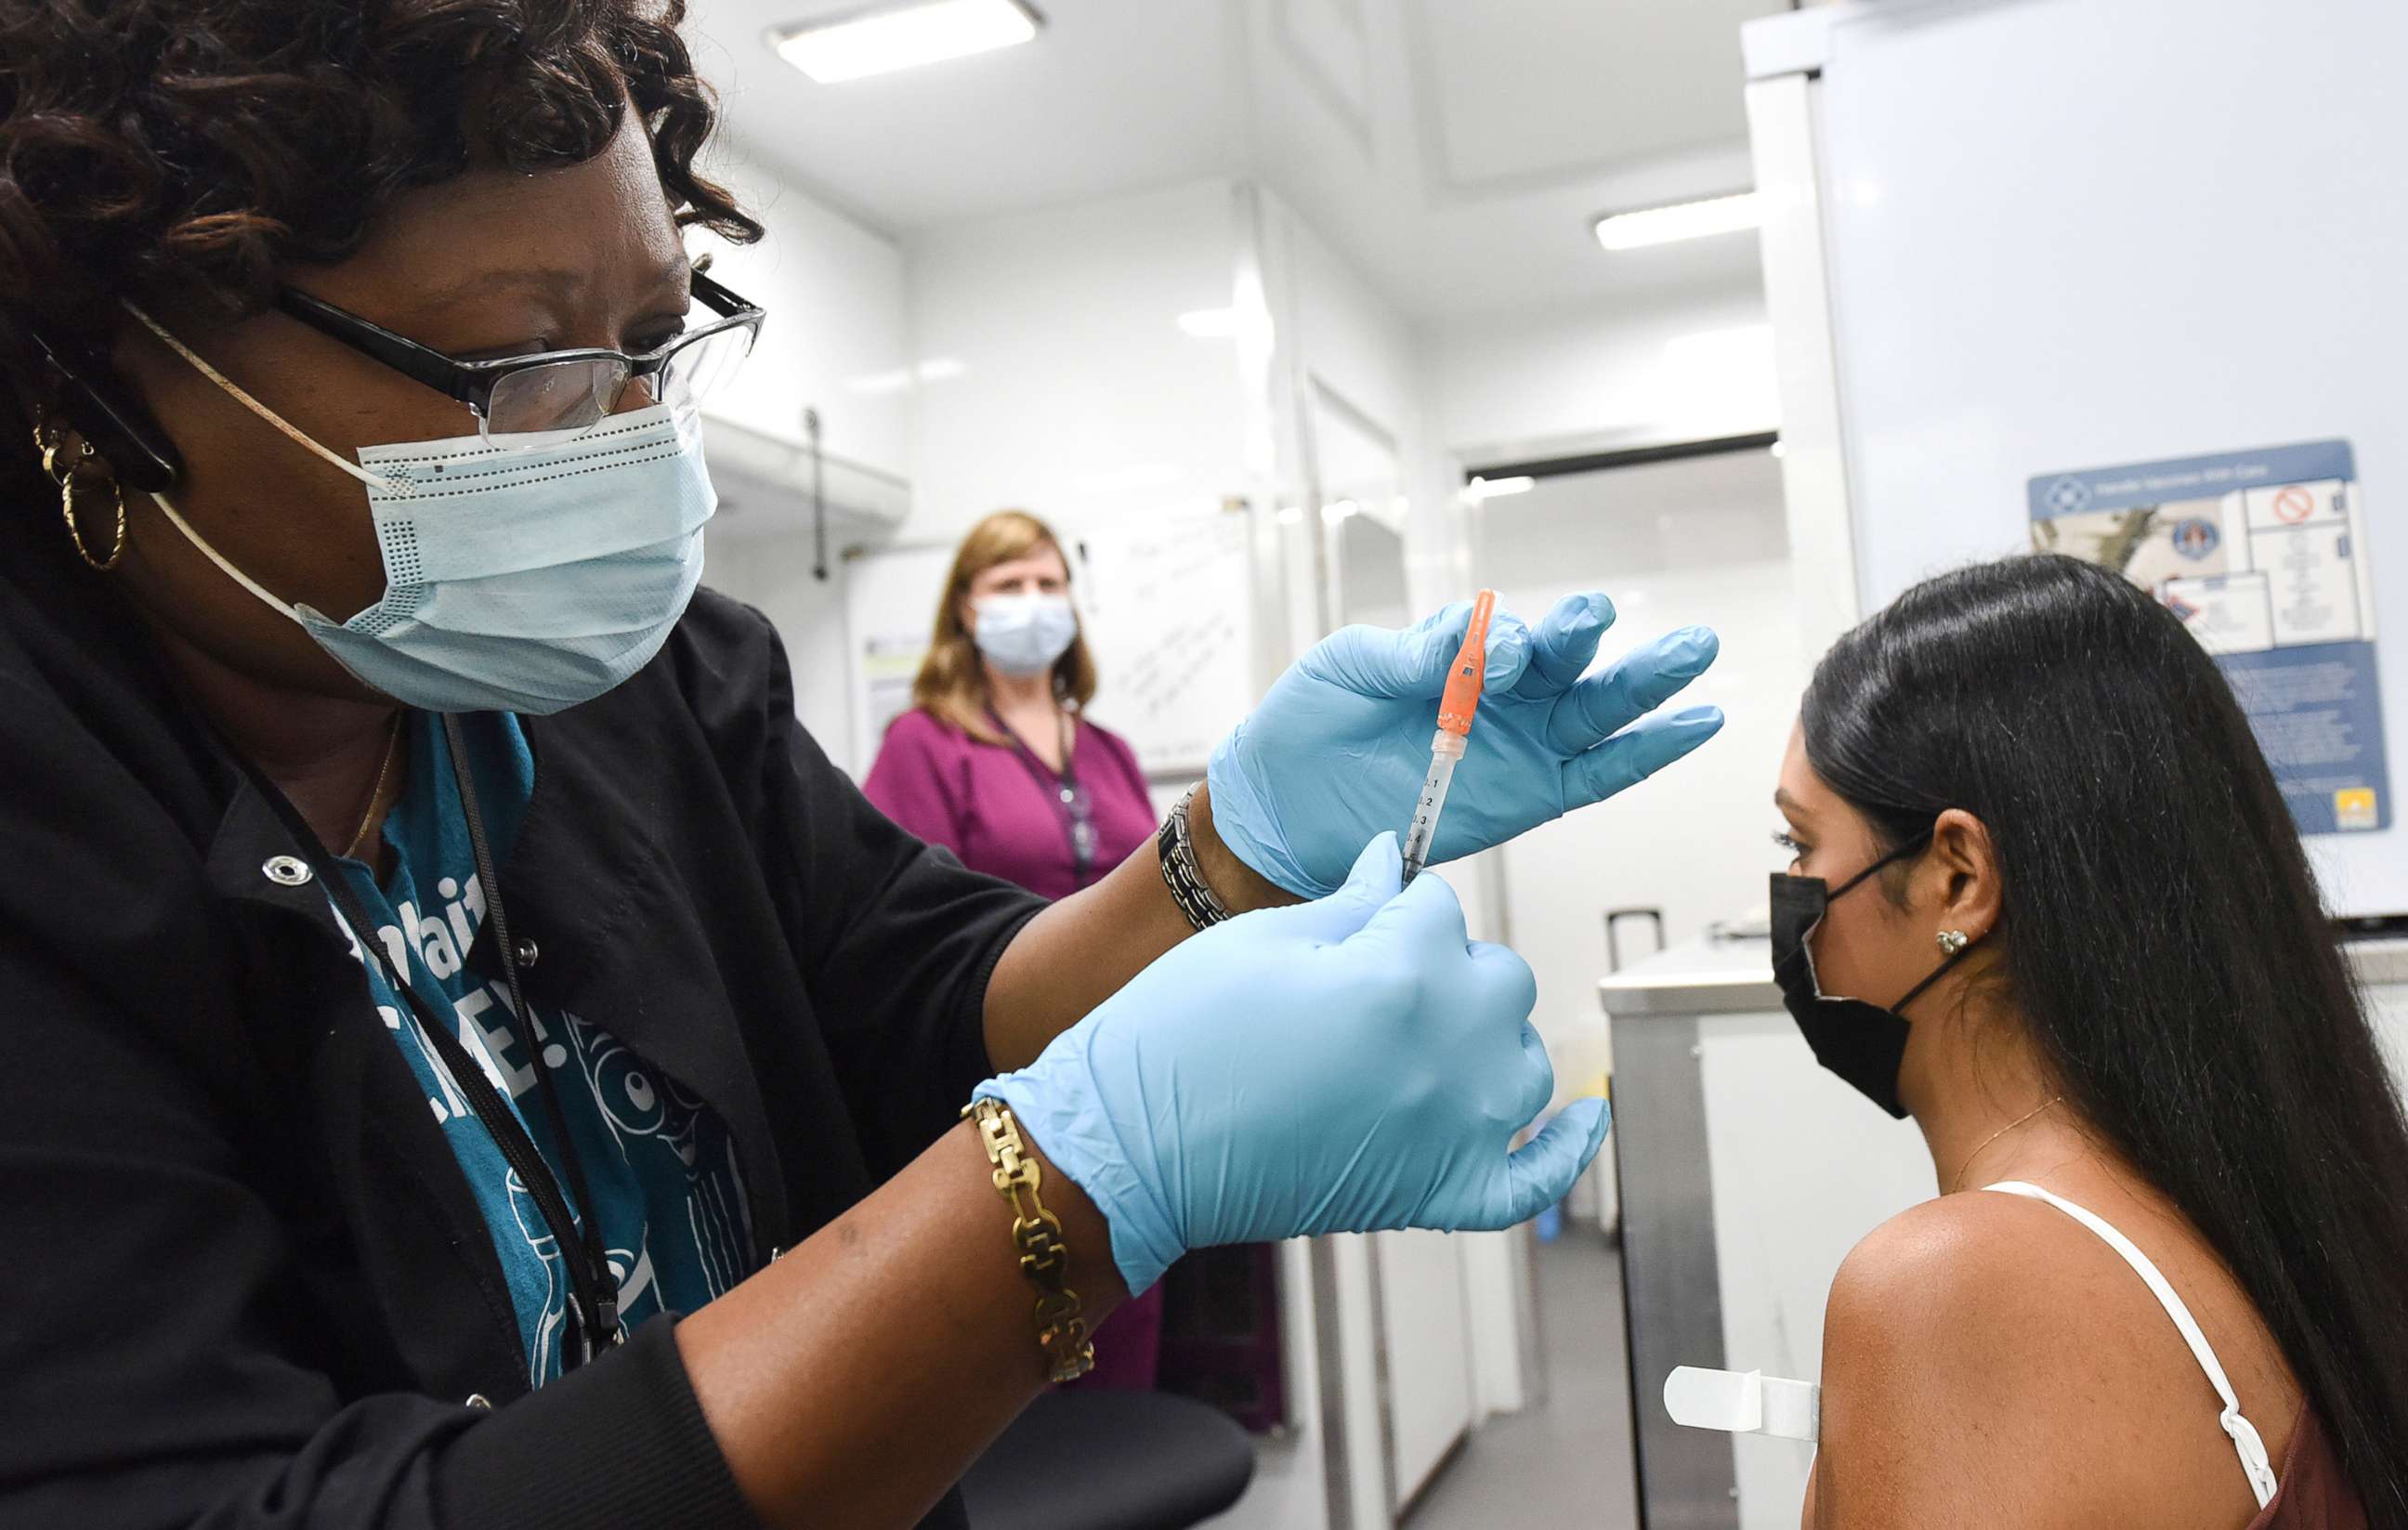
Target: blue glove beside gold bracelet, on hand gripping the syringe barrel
<point>1340,1066</point>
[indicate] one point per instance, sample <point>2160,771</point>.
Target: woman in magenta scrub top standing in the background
<point>998,765</point>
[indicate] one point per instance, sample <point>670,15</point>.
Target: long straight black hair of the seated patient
<point>2164,941</point>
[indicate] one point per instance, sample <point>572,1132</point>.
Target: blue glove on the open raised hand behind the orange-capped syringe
<point>1342,743</point>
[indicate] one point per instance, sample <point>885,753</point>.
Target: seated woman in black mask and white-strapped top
<point>2050,842</point>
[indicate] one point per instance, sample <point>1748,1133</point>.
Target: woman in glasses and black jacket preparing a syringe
<point>466,1057</point>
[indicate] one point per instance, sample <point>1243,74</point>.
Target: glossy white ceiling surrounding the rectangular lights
<point>1456,151</point>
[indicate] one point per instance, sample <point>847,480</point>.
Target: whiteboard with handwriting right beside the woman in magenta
<point>1169,616</point>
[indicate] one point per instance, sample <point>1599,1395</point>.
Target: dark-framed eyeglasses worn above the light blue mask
<point>555,394</point>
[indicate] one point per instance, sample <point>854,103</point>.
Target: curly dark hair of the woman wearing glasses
<point>203,146</point>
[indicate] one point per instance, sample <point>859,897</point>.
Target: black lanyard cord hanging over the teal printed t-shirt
<point>594,1297</point>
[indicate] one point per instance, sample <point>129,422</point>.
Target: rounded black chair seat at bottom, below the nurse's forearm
<point>1111,1461</point>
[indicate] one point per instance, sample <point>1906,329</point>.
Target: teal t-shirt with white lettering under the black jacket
<point>659,1163</point>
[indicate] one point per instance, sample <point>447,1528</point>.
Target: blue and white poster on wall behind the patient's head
<point>2265,558</point>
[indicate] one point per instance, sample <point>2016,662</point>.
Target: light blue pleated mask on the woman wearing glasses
<point>514,579</point>
